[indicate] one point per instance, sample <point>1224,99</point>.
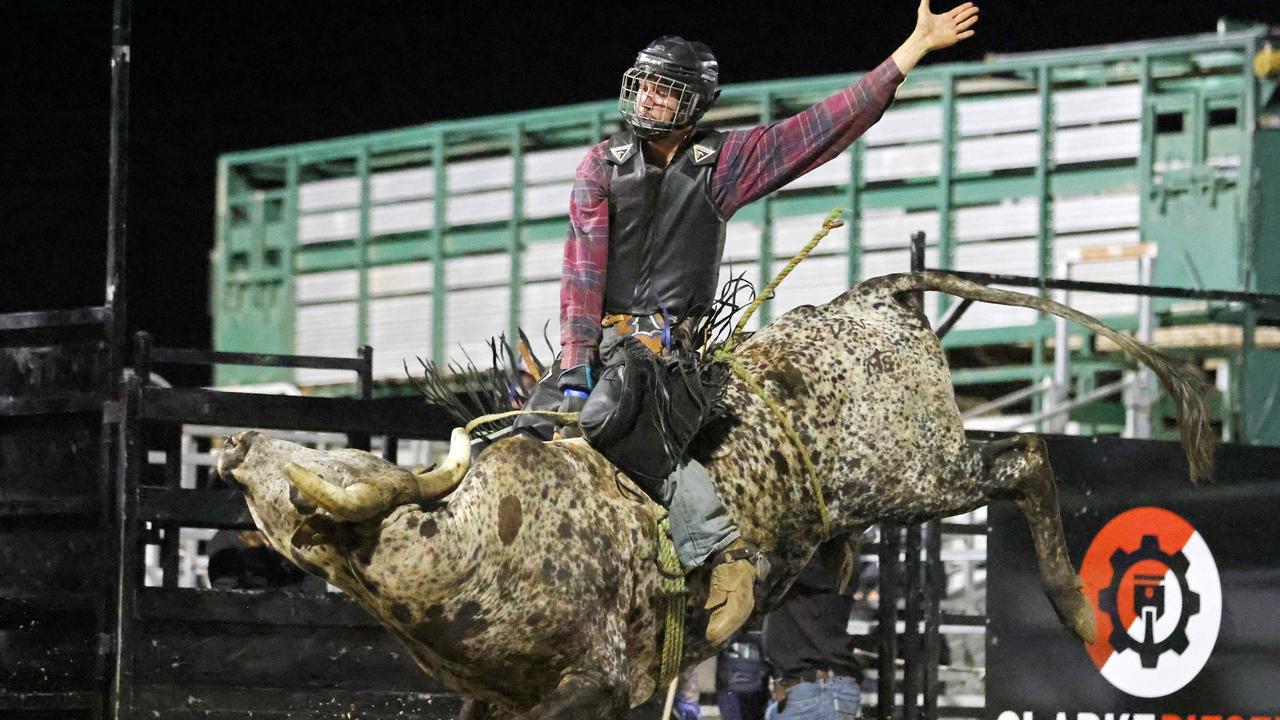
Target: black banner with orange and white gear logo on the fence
<point>1185,581</point>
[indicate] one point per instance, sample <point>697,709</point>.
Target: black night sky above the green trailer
<point>211,78</point>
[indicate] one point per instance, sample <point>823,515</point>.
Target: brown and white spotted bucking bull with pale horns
<point>529,584</point>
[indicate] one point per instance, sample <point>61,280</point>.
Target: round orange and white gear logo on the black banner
<point>1158,601</point>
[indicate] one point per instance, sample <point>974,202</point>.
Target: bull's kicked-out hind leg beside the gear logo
<point>1020,471</point>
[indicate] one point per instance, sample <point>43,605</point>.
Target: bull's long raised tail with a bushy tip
<point>1183,385</point>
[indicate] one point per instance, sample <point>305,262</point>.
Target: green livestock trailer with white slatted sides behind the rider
<point>1154,162</point>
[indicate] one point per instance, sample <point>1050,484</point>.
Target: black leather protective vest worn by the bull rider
<point>666,236</point>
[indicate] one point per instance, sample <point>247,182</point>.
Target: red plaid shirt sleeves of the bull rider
<point>752,165</point>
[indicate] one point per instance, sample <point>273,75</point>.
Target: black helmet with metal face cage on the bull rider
<point>669,69</point>
